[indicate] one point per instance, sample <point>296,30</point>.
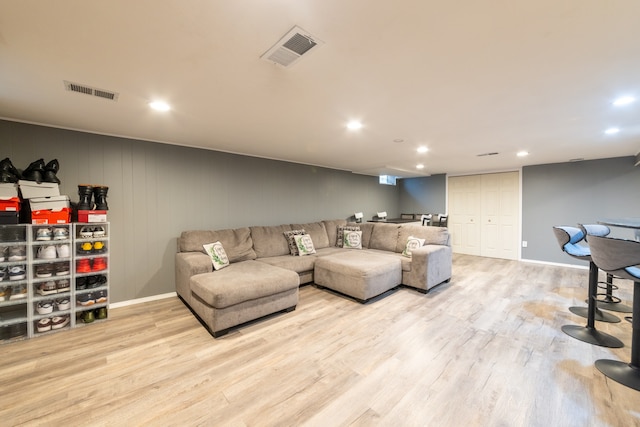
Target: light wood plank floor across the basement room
<point>483,350</point>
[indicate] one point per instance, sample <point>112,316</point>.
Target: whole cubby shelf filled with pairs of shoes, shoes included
<point>52,278</point>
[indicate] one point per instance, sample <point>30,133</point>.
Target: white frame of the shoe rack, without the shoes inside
<point>20,315</point>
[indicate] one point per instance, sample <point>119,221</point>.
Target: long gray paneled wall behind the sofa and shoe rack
<point>156,191</point>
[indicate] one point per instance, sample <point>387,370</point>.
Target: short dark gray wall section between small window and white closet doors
<point>423,195</point>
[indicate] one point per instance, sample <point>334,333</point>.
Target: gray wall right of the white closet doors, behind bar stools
<point>572,193</point>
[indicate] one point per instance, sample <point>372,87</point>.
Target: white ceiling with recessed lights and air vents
<point>460,77</point>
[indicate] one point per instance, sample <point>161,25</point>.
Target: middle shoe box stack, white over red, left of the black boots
<point>43,204</point>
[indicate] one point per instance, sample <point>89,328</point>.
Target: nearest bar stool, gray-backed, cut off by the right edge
<point>622,258</point>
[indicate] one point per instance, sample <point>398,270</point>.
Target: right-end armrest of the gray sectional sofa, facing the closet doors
<point>430,266</point>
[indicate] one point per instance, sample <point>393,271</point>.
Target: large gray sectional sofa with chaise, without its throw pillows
<point>263,277</point>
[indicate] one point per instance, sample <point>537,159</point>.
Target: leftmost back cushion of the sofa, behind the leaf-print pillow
<point>237,242</point>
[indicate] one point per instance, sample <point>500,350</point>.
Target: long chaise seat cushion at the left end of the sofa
<point>243,281</point>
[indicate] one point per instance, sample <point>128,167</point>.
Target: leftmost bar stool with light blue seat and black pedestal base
<point>568,238</point>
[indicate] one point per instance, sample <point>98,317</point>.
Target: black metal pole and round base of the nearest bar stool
<point>627,373</point>
